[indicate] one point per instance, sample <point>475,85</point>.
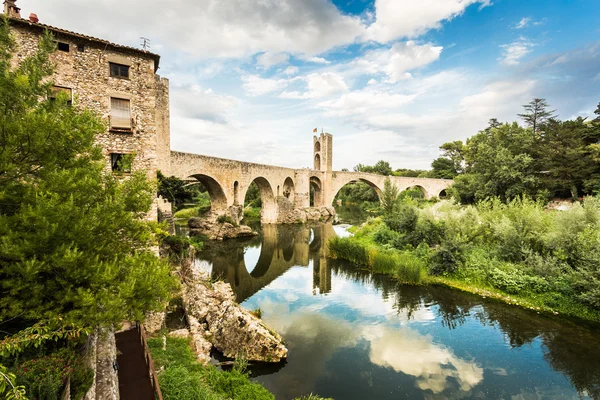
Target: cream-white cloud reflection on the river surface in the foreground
<point>414,354</point>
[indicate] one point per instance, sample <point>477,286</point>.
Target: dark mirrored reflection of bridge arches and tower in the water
<point>283,246</point>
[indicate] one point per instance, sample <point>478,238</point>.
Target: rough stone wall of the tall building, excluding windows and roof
<point>85,70</point>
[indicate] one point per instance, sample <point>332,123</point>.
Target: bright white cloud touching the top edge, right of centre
<point>397,19</point>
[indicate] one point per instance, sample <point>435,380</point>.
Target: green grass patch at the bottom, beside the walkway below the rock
<point>182,377</point>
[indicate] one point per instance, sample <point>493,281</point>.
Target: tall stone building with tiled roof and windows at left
<point>118,82</point>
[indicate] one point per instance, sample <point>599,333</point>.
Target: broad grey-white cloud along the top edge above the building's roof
<point>209,28</point>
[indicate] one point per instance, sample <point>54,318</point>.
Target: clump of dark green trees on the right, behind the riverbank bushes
<point>553,158</point>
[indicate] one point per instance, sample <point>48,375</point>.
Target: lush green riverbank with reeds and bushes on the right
<point>519,253</point>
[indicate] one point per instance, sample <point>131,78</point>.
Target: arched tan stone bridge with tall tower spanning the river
<point>227,181</point>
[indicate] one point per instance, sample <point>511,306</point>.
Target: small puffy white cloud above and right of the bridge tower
<point>397,61</point>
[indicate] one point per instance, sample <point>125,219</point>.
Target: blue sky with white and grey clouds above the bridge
<point>389,79</point>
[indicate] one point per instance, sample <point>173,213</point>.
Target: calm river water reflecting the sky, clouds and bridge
<point>353,335</point>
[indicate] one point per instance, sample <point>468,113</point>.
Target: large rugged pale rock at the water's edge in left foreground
<point>231,329</point>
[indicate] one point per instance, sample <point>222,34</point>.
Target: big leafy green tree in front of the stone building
<point>74,242</point>
